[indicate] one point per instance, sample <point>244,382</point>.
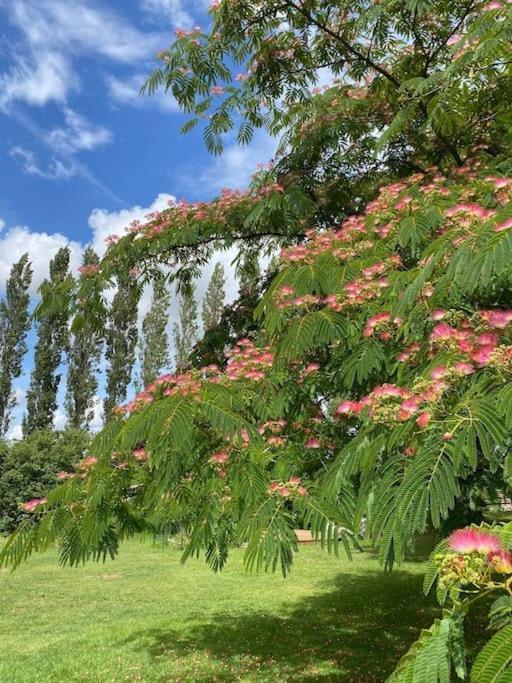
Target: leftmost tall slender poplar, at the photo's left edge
<point>14,325</point>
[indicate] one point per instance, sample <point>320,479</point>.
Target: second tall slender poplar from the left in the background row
<point>52,342</point>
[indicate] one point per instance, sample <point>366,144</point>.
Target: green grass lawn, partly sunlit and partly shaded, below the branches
<point>145,617</point>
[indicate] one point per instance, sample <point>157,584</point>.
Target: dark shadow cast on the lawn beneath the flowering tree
<point>355,629</point>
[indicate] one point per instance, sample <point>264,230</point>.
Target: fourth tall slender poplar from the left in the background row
<point>121,338</point>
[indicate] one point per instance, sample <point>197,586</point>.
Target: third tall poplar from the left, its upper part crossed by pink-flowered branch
<point>84,355</point>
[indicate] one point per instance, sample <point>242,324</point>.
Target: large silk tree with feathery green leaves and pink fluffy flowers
<point>374,385</point>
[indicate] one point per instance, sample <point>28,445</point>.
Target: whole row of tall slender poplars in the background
<point>73,353</point>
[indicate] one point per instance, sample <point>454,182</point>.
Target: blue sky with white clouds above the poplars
<point>81,153</point>
